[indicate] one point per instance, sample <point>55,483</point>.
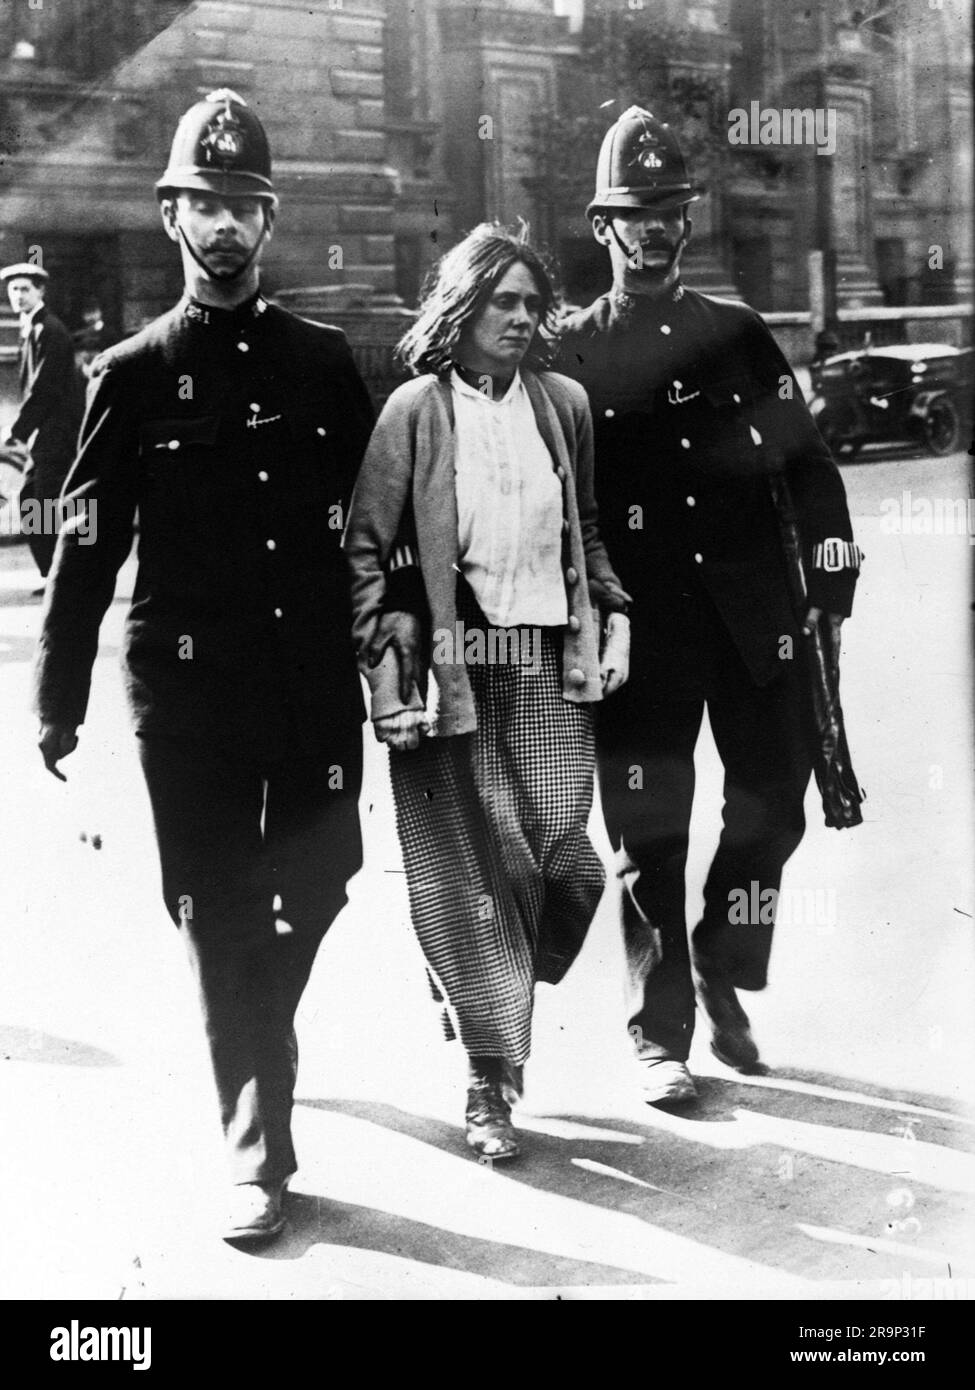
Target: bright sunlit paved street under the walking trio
<point>848,1172</point>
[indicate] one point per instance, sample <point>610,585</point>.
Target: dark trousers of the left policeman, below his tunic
<point>232,837</point>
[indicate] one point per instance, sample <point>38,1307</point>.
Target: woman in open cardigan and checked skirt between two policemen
<point>485,466</point>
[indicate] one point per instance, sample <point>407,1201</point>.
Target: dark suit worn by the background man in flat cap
<point>52,405</point>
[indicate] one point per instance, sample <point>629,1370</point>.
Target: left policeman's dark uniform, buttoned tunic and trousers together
<point>237,434</point>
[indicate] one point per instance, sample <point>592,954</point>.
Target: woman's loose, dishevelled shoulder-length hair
<point>458,288</point>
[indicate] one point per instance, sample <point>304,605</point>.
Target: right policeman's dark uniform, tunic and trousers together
<point>692,411</point>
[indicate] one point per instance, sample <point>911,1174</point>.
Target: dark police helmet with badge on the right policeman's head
<point>640,166</point>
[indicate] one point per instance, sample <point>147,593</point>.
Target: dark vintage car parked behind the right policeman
<point>909,393</point>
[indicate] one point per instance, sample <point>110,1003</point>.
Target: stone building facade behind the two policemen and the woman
<point>398,124</point>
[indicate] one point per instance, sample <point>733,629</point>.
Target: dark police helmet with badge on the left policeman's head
<point>220,148</point>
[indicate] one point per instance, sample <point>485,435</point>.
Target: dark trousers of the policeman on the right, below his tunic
<point>646,760</point>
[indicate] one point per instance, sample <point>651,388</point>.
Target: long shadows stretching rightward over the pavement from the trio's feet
<point>806,1174</point>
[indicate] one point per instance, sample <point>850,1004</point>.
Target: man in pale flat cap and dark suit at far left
<point>45,432</point>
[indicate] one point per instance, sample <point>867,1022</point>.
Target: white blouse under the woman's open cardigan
<point>510,508</point>
